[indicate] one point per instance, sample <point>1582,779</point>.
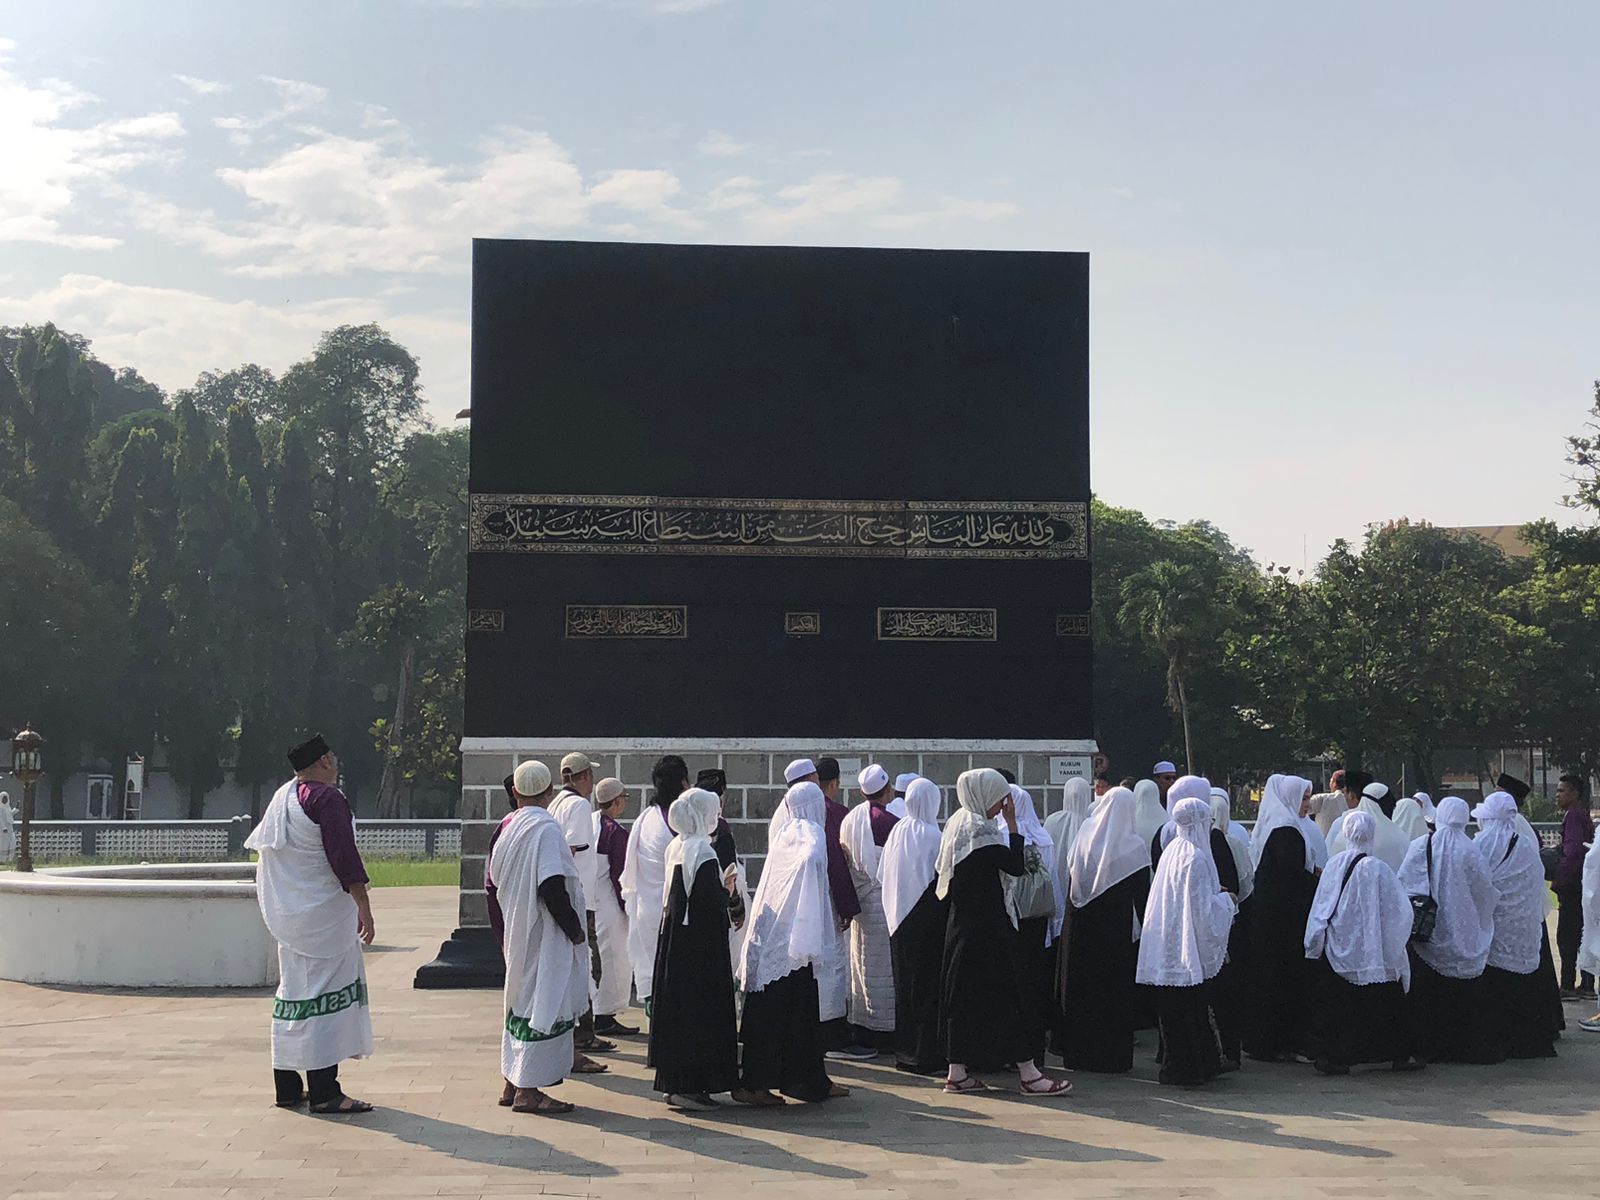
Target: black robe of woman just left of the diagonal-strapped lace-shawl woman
<point>1278,977</point>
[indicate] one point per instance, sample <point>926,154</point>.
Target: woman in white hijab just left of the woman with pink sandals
<point>908,871</point>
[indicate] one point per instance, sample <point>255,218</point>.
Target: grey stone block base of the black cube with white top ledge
<point>756,782</point>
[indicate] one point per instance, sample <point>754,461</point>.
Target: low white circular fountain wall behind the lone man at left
<point>183,926</point>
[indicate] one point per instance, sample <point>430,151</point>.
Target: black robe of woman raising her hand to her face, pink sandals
<point>983,1018</point>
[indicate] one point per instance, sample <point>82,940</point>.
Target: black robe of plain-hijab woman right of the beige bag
<point>1100,958</point>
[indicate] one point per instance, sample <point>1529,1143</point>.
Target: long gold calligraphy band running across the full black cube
<point>785,527</point>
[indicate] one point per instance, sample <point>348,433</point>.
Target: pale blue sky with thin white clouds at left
<point>1345,258</point>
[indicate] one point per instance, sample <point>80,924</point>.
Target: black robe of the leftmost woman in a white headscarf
<point>694,1030</point>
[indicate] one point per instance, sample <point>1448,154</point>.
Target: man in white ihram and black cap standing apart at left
<point>313,890</point>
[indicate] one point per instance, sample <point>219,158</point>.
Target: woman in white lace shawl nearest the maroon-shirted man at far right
<point>1514,988</point>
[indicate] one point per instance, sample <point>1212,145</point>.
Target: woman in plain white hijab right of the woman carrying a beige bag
<point>1108,882</point>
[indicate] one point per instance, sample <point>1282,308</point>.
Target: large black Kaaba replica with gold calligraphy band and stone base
<point>750,505</point>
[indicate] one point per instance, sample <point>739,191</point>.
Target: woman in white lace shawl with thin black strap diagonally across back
<point>1358,935</point>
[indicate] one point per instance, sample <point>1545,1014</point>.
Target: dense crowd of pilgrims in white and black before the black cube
<point>1342,930</point>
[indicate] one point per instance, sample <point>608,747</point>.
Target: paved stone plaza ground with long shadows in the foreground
<point>143,1095</point>
